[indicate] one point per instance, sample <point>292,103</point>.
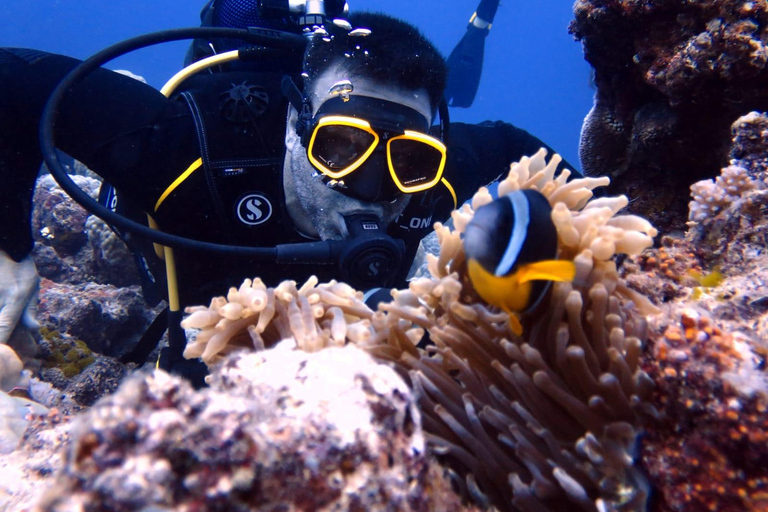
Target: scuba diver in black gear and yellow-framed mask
<point>336,163</point>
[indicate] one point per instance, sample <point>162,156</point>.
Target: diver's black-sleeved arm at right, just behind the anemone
<point>480,154</point>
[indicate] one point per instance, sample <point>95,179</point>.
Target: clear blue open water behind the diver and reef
<point>534,75</point>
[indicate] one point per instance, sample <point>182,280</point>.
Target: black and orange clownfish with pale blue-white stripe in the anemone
<point>511,248</point>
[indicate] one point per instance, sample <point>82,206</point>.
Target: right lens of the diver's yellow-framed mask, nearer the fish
<point>414,163</point>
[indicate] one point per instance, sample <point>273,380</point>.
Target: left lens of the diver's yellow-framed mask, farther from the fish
<point>338,146</point>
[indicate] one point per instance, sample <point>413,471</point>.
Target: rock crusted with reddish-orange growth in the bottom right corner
<point>709,450</point>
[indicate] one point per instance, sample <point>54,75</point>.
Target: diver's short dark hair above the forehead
<point>395,53</point>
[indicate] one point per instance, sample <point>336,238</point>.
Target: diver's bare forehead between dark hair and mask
<point>334,81</point>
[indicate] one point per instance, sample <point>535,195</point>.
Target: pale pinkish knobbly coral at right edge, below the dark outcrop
<point>732,239</point>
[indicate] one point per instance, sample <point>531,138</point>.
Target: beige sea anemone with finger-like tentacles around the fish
<point>540,421</point>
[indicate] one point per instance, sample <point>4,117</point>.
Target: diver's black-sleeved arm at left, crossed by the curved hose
<point>107,122</point>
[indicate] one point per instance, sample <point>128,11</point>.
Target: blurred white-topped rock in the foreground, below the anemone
<point>275,431</point>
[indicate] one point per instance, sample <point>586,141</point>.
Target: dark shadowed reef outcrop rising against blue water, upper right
<point>671,78</point>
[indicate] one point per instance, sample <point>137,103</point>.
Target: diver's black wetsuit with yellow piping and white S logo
<point>141,142</point>
